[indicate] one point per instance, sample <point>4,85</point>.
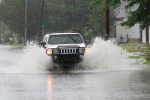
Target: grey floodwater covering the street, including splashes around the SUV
<point>24,75</point>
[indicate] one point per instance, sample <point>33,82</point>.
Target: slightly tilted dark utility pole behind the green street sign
<point>40,24</point>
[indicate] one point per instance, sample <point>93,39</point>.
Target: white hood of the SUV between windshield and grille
<point>65,45</point>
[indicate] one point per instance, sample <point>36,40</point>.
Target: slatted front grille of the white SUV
<point>68,51</point>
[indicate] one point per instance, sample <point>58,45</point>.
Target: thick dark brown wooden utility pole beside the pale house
<point>106,22</point>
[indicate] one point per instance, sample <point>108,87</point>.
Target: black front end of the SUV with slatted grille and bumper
<point>67,55</point>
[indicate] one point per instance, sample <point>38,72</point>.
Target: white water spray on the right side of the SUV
<point>105,55</point>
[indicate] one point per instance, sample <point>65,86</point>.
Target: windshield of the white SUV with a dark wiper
<point>65,39</point>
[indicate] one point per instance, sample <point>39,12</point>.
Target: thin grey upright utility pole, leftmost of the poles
<point>25,30</point>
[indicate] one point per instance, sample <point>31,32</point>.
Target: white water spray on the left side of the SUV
<point>34,59</point>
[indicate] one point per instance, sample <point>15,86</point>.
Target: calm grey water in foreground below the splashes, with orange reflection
<point>128,85</point>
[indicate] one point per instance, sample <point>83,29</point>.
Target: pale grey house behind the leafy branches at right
<point>125,34</point>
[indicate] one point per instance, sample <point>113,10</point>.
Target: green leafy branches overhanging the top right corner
<point>141,15</point>
